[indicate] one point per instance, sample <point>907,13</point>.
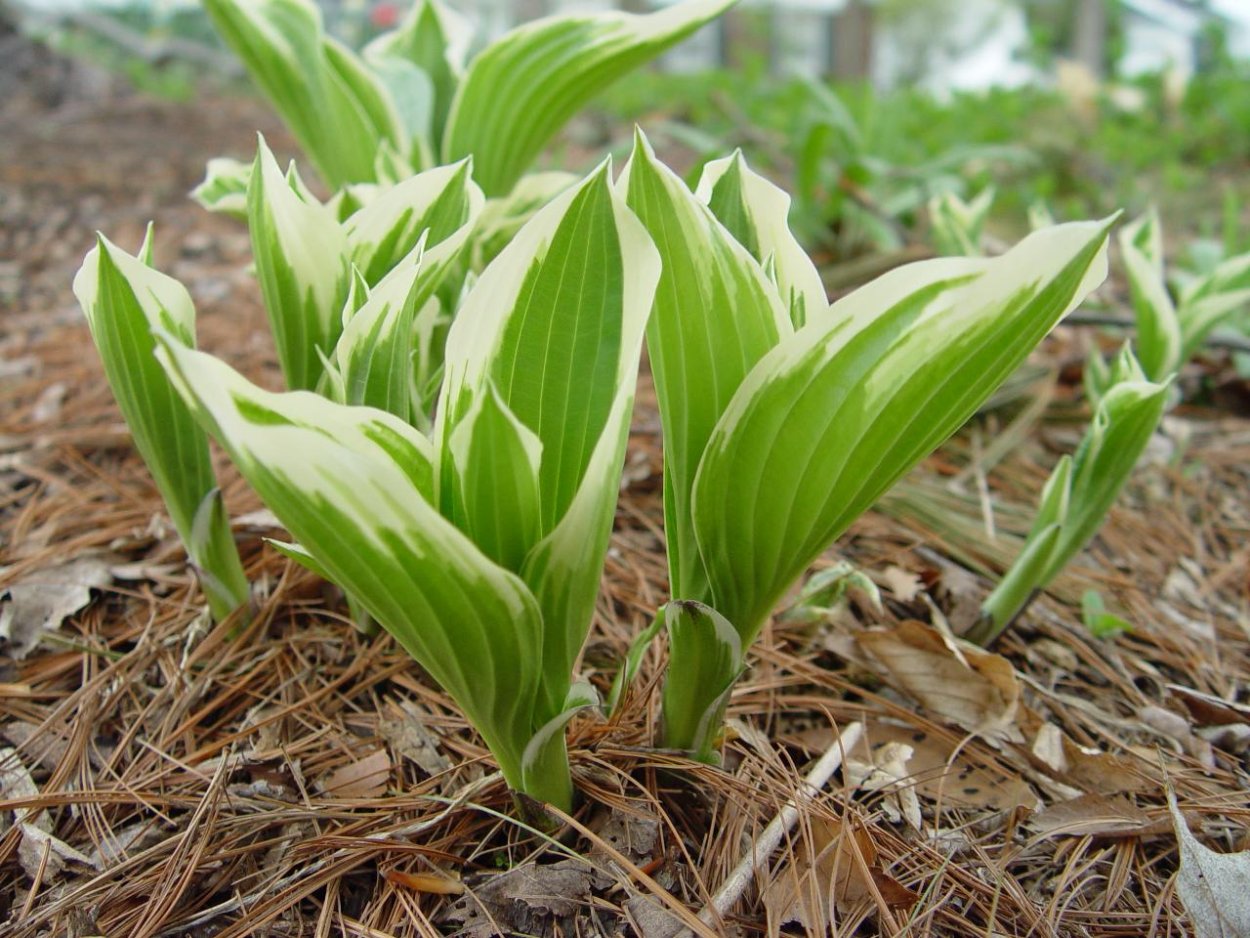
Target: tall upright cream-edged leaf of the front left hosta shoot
<point>554,327</point>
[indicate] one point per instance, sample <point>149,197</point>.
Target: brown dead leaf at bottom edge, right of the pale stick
<point>829,875</point>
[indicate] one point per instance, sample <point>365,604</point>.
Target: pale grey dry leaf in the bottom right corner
<point>1213,887</point>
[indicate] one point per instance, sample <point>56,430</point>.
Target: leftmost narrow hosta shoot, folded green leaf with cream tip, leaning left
<point>124,300</point>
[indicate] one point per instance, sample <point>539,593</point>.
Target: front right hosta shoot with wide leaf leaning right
<point>777,440</point>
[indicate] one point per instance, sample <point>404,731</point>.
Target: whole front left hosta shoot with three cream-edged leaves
<point>479,550</point>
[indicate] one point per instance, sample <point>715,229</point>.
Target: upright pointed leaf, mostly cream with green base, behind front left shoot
<point>302,263</point>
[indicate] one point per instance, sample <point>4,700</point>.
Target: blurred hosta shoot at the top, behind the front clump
<point>414,99</point>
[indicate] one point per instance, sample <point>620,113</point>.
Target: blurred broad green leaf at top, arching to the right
<point>526,86</point>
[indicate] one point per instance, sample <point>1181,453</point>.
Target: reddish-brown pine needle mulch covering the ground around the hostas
<point>162,779</point>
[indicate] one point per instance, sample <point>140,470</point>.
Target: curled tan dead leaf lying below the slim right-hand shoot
<point>967,686</point>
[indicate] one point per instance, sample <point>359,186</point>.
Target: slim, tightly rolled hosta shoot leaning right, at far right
<point>1079,493</point>
